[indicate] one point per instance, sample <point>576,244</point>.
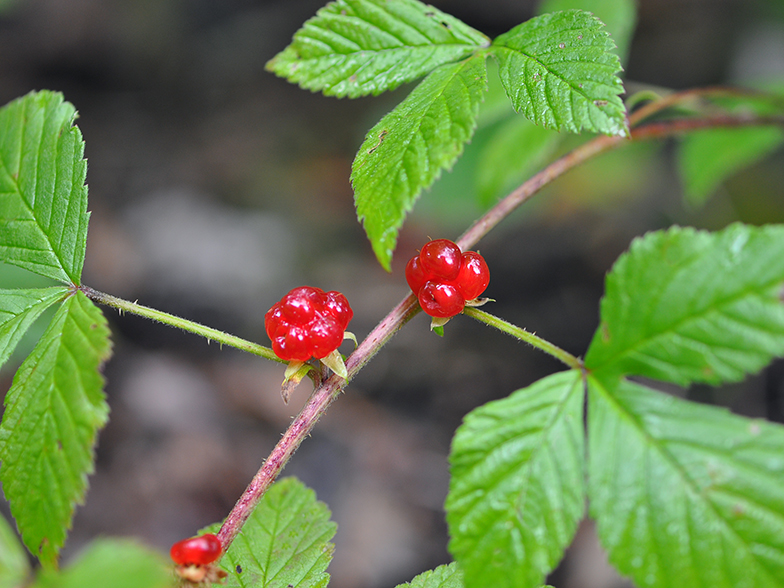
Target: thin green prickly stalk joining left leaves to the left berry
<point>169,319</point>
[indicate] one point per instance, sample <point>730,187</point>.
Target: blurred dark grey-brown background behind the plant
<point>216,187</point>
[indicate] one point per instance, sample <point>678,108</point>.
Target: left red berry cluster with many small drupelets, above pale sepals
<point>307,322</point>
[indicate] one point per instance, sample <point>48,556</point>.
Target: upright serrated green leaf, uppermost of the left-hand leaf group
<point>43,198</point>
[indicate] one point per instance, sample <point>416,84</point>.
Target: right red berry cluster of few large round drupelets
<point>444,278</point>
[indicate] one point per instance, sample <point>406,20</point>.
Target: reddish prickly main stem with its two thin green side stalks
<point>328,390</point>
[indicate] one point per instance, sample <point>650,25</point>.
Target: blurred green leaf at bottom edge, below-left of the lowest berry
<point>112,563</point>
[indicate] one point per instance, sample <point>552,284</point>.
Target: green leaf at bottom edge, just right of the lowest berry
<point>284,543</point>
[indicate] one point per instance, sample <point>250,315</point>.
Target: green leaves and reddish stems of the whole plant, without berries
<point>682,494</point>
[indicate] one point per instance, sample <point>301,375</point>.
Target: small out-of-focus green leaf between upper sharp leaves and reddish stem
<point>515,150</point>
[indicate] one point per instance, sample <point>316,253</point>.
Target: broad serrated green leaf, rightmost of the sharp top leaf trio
<point>560,72</point>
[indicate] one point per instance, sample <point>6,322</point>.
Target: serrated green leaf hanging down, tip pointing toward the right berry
<point>407,150</point>
